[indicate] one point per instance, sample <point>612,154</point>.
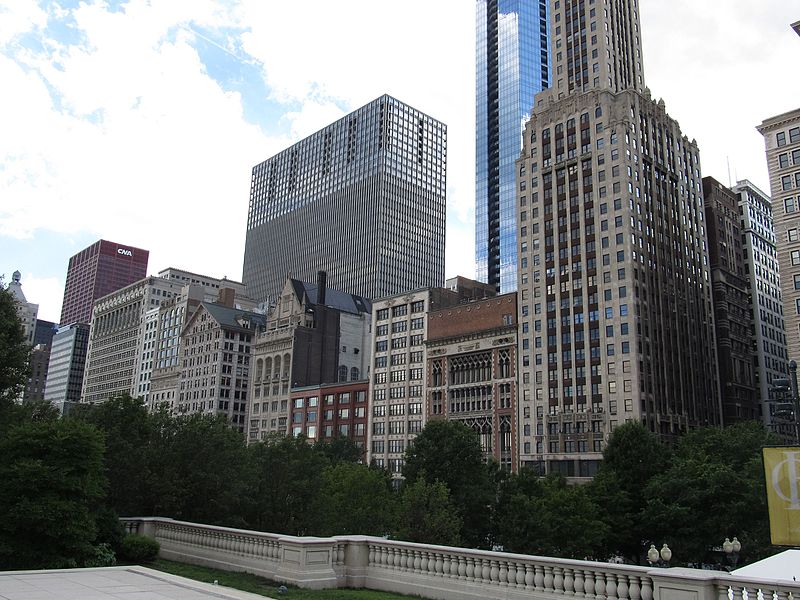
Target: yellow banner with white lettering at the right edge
<point>782,472</point>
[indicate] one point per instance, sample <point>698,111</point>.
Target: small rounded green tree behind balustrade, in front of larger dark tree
<point>428,515</point>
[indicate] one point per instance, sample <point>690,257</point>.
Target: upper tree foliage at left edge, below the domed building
<point>14,352</point>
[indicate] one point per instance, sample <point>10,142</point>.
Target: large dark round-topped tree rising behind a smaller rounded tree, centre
<point>449,452</point>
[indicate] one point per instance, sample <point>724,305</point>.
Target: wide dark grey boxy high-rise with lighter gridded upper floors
<point>362,199</point>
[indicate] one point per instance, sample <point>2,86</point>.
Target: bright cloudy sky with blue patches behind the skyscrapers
<point>140,121</point>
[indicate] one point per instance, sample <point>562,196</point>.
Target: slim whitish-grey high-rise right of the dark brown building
<point>764,288</point>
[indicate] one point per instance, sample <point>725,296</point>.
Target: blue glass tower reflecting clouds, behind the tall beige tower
<point>512,65</point>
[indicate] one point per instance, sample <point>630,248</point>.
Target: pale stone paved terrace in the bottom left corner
<point>110,583</point>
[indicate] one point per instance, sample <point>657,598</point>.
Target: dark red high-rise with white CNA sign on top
<point>96,271</point>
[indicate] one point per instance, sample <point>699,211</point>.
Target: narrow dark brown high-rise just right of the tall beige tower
<point>732,307</point>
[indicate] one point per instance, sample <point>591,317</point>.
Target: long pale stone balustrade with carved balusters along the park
<point>438,572</point>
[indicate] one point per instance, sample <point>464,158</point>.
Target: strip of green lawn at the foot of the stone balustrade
<point>265,587</point>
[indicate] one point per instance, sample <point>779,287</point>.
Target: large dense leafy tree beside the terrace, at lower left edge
<point>52,489</point>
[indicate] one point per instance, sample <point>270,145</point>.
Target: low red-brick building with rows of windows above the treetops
<point>323,412</point>
